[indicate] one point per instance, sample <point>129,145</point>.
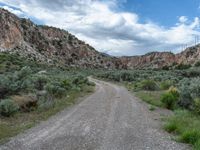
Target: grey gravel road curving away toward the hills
<point>109,119</point>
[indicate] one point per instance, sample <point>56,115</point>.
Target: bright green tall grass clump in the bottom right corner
<point>186,126</point>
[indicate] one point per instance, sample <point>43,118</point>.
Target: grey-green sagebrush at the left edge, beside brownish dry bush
<point>8,108</point>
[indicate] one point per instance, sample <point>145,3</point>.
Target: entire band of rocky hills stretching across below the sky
<point>59,47</point>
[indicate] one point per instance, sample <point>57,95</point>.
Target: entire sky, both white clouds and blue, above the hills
<point>118,27</point>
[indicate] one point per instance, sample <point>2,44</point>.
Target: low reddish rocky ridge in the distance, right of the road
<point>190,56</point>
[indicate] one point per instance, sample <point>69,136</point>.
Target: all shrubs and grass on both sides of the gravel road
<point>31,92</point>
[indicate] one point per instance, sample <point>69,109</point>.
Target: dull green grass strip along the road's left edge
<point>12,126</point>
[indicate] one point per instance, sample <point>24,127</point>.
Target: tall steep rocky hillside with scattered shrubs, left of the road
<point>48,44</point>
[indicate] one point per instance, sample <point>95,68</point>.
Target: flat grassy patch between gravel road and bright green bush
<point>151,97</point>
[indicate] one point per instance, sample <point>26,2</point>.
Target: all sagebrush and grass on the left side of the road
<point>31,92</point>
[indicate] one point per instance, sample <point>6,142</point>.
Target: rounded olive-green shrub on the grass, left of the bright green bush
<point>149,85</point>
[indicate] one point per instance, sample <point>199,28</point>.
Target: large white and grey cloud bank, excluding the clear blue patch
<point>98,23</point>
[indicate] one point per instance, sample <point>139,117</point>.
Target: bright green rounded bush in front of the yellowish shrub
<point>169,100</point>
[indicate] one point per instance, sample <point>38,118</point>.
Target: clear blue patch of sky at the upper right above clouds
<point>163,12</point>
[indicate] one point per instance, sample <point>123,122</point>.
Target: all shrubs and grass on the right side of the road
<point>177,90</point>
